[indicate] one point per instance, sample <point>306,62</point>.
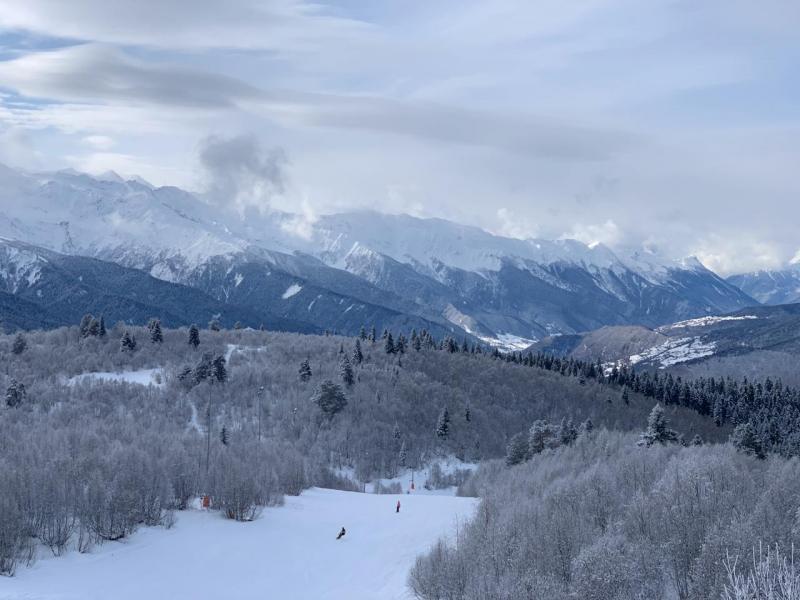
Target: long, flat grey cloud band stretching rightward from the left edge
<point>99,73</point>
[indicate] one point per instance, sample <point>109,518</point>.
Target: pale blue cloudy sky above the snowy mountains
<point>673,125</point>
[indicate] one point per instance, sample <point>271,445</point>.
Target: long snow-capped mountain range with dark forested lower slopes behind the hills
<point>339,272</point>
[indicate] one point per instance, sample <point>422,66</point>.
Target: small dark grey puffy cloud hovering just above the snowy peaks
<point>241,173</point>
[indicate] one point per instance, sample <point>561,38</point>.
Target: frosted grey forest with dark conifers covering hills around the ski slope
<point>89,454</point>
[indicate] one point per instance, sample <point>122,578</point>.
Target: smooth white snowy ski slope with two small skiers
<point>289,553</point>
